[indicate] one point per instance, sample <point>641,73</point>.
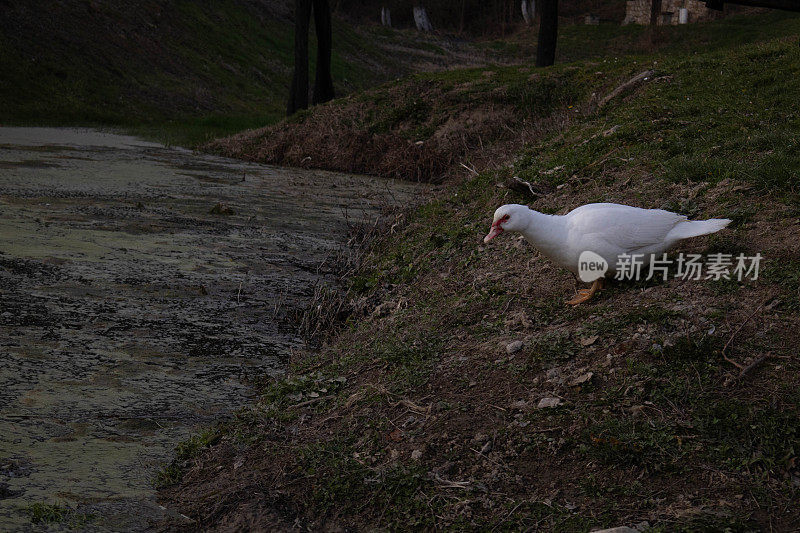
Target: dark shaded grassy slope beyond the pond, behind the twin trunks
<point>173,70</point>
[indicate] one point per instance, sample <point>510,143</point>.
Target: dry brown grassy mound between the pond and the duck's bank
<point>419,128</point>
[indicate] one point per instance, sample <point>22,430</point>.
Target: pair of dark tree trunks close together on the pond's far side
<point>323,82</point>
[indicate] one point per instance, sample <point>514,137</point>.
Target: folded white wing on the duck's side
<point>629,229</point>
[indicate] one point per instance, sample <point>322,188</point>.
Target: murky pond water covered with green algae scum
<point>130,314</point>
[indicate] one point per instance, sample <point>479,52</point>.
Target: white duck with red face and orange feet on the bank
<point>608,230</point>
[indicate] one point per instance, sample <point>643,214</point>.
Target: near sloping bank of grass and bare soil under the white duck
<point>415,415</point>
